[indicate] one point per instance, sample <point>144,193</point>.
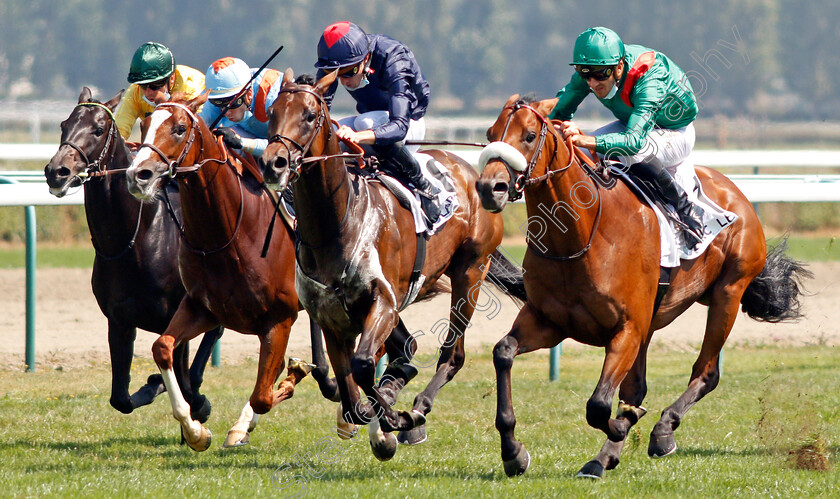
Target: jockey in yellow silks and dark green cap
<point>154,77</point>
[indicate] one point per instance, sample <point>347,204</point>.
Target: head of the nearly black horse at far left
<point>88,136</point>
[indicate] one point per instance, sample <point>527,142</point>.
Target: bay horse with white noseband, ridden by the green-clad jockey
<point>592,276</point>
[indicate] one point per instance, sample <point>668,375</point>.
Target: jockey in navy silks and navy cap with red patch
<point>383,77</point>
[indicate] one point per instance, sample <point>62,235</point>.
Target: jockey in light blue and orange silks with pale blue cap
<point>245,125</point>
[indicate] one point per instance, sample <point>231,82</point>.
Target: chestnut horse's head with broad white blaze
<point>173,135</point>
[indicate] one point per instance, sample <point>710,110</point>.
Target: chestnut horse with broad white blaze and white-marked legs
<point>227,217</point>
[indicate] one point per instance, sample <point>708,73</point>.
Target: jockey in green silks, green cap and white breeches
<point>655,106</point>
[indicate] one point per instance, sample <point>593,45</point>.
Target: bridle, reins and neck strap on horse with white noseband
<point>519,180</point>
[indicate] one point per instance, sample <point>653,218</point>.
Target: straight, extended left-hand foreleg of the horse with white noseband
<point>527,334</point>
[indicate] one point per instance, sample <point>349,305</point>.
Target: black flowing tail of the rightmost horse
<point>773,296</point>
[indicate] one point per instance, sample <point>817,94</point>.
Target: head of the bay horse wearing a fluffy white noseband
<point>516,140</point>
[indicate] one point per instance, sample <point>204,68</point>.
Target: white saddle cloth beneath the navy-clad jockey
<point>447,199</point>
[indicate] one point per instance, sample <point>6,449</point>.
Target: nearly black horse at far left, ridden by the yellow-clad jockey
<point>135,273</point>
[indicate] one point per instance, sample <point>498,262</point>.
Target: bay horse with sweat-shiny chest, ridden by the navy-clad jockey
<point>355,258</point>
